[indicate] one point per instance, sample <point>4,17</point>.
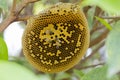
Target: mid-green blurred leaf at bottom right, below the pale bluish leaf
<point>98,74</point>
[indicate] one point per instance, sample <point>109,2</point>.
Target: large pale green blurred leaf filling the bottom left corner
<point>14,71</point>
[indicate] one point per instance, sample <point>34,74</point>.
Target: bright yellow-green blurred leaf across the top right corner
<point>111,6</point>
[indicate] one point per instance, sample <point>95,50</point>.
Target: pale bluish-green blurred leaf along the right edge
<point>113,50</point>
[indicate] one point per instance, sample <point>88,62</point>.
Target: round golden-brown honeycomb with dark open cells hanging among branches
<point>57,38</point>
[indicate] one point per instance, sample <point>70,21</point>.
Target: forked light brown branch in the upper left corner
<point>14,13</point>
